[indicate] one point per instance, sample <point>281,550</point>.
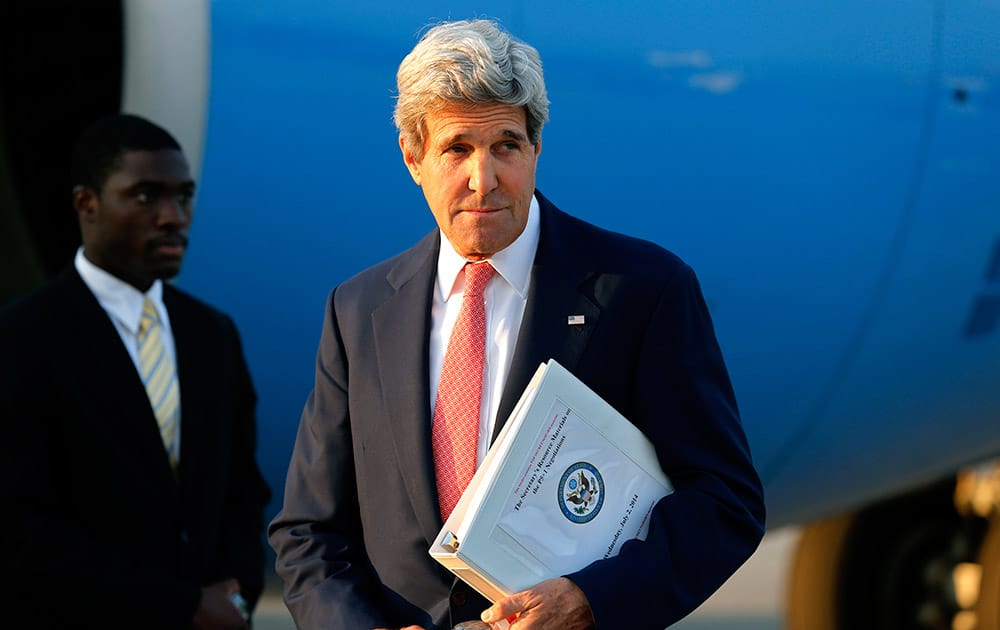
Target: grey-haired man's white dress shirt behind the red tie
<point>505,297</point>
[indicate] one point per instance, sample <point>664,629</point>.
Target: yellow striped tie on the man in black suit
<point>160,378</point>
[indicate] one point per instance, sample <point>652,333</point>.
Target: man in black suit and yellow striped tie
<point>132,497</point>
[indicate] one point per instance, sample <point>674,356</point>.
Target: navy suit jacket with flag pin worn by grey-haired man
<point>360,508</point>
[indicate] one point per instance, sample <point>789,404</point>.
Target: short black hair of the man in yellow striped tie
<point>101,146</point>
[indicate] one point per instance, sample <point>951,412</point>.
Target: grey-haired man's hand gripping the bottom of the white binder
<point>556,604</point>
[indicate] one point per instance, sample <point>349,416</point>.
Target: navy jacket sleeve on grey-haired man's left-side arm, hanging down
<point>318,534</point>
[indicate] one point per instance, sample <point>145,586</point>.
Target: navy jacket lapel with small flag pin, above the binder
<point>557,277</point>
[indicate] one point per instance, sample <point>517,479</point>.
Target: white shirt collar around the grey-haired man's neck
<point>513,263</point>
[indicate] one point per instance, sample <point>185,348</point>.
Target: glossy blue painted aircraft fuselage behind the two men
<point>810,160</point>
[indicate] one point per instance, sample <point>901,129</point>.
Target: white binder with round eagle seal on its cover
<point>567,482</point>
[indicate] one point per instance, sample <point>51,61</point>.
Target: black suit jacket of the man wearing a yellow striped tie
<point>97,529</point>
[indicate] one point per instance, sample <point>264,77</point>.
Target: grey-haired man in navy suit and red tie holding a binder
<point>363,497</point>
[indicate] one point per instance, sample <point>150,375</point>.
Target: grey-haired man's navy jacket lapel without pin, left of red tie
<point>401,328</point>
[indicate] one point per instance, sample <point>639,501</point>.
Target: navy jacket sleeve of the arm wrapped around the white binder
<point>681,398</point>
